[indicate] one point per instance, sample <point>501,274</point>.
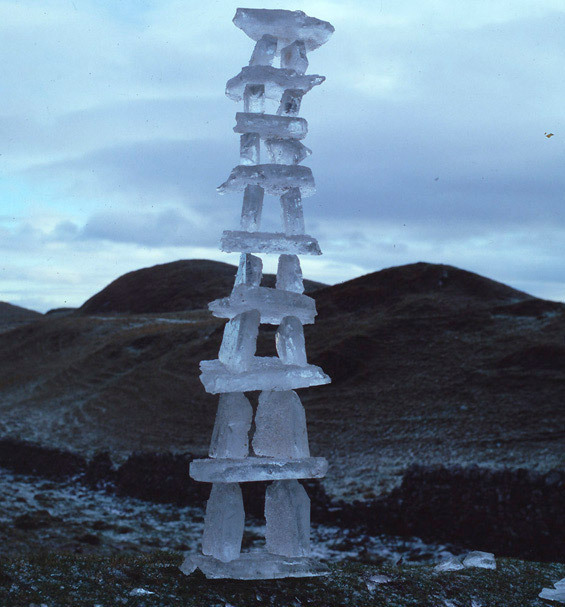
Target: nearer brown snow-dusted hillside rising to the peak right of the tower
<point>430,364</point>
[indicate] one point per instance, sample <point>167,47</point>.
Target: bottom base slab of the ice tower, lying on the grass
<point>259,565</point>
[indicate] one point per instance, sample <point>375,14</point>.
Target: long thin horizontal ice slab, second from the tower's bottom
<point>250,469</point>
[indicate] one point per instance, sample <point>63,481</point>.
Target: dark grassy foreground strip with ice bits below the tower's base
<point>57,579</point>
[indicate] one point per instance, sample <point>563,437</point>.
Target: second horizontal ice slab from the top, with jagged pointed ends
<point>275,80</point>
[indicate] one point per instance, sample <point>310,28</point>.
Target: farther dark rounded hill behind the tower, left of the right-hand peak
<point>170,287</point>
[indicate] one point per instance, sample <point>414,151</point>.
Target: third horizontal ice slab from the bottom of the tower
<point>263,373</point>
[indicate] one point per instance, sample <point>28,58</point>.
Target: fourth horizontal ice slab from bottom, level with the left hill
<point>272,304</point>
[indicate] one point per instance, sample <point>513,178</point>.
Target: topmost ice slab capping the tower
<point>287,26</point>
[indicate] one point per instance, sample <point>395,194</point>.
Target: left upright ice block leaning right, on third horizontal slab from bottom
<point>239,342</point>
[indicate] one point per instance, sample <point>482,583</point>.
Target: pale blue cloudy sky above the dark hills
<point>429,139</point>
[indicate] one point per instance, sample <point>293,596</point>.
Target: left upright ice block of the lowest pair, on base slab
<point>223,523</point>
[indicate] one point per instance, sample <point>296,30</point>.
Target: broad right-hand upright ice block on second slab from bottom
<point>280,426</point>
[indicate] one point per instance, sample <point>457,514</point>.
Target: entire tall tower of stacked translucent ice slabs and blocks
<point>280,450</point>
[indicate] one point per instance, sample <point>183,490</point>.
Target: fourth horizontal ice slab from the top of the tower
<point>275,179</point>
